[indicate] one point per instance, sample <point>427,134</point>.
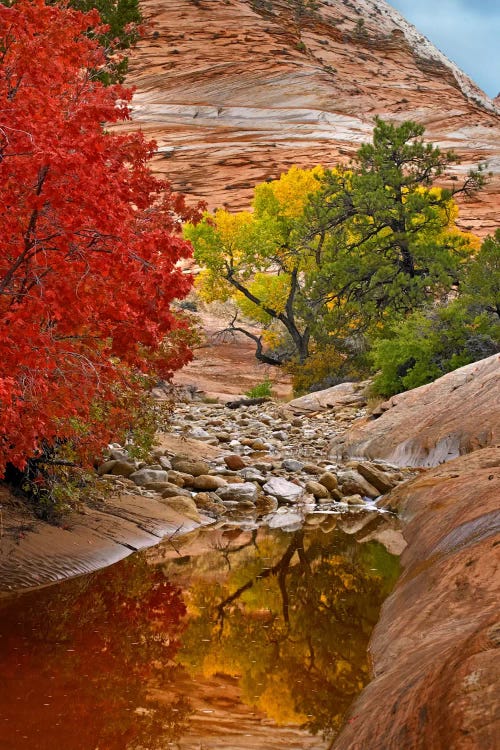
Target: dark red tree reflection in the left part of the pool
<point>90,664</point>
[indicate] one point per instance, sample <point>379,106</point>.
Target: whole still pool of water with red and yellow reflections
<point>227,639</point>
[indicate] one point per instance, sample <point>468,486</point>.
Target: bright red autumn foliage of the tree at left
<point>89,239</point>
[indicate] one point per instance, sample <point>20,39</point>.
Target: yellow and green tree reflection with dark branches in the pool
<point>292,619</point>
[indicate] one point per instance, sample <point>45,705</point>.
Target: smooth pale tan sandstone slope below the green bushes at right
<point>426,426</point>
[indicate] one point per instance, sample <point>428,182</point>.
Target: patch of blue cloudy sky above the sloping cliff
<point>467,31</point>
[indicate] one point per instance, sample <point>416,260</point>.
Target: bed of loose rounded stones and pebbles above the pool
<point>271,462</point>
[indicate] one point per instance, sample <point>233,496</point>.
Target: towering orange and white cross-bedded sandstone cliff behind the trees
<point>236,91</point>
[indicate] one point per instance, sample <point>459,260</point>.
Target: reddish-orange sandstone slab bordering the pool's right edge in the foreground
<point>435,647</point>
